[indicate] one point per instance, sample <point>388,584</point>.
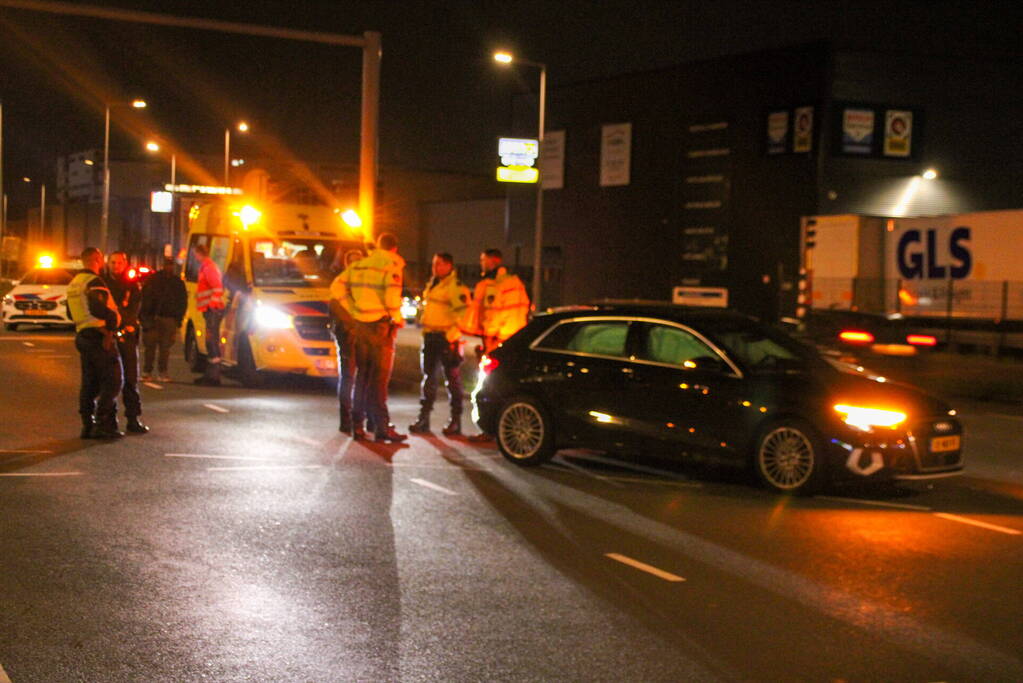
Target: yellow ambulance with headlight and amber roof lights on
<point>278,263</point>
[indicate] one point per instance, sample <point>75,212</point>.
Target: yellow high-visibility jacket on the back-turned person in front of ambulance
<point>371,288</point>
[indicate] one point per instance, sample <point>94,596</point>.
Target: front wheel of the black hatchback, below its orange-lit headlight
<point>789,459</point>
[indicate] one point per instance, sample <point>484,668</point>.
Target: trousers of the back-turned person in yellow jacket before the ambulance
<point>374,362</point>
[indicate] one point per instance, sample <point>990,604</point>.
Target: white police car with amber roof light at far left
<point>41,297</point>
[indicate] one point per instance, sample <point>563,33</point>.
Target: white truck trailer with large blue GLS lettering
<point>900,285</point>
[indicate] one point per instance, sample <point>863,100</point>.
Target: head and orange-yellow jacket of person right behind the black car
<point>501,305</point>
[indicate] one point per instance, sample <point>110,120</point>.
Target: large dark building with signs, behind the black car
<point>725,157</point>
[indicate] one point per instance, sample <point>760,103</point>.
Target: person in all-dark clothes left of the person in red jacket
<point>165,302</point>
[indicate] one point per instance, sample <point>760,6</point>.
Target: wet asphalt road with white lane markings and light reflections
<point>246,539</point>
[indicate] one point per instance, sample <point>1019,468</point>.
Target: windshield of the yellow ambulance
<point>294,263</point>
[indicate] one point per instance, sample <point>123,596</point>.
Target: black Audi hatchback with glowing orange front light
<point>679,381</point>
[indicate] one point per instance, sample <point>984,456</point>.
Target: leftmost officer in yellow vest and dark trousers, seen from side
<point>97,322</point>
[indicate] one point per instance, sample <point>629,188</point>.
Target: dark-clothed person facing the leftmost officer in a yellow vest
<point>128,296</point>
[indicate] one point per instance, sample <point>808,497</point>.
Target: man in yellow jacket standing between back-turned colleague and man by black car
<point>447,301</point>
